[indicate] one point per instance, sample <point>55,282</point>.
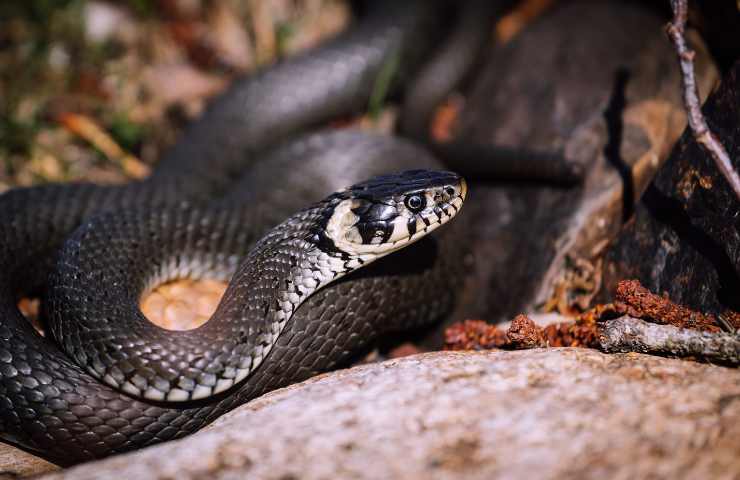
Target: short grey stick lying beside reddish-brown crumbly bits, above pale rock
<point>629,334</point>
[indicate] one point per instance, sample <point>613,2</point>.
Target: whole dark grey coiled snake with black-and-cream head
<point>294,217</point>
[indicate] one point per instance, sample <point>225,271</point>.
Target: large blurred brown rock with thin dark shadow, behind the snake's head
<point>602,95</point>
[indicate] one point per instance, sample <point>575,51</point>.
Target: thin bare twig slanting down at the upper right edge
<point>697,122</point>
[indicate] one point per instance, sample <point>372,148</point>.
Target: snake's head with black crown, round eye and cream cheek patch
<point>382,215</point>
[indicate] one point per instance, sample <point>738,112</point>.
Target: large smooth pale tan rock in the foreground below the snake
<point>552,413</point>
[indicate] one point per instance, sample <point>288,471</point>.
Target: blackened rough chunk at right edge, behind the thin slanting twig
<point>684,238</point>
